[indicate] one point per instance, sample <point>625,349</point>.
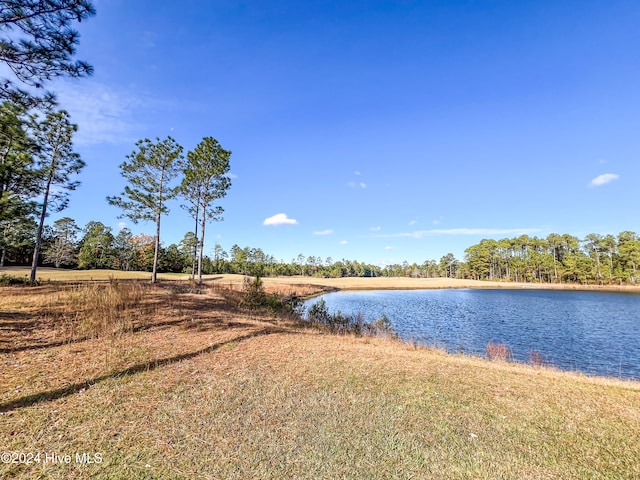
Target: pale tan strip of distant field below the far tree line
<point>349,283</point>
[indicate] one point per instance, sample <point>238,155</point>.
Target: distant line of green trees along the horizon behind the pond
<point>594,260</point>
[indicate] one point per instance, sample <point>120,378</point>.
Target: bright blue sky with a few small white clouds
<point>380,131</point>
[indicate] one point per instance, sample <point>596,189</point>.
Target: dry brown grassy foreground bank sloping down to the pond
<point>165,383</point>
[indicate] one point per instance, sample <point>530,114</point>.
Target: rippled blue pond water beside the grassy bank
<point>592,332</point>
